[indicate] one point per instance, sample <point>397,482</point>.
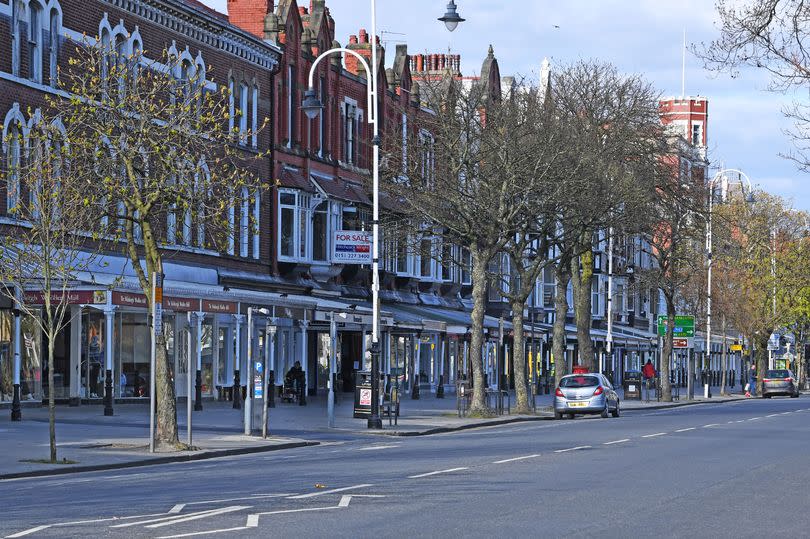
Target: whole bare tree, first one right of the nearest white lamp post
<point>490,160</point>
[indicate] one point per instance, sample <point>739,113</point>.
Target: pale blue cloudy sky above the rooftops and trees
<point>746,128</point>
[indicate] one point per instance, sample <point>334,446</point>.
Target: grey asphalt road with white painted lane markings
<point>729,470</point>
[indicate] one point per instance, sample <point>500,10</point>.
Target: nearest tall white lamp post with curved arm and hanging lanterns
<point>312,106</point>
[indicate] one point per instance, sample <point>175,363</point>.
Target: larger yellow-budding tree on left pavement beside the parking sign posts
<point>169,170</point>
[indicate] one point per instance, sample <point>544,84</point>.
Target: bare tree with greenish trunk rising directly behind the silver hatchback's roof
<point>613,140</point>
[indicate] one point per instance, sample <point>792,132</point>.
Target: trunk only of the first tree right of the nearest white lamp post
<point>479,292</point>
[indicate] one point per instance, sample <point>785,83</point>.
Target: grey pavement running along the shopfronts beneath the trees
<point>88,440</point>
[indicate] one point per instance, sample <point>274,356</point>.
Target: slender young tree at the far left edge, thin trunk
<point>43,252</point>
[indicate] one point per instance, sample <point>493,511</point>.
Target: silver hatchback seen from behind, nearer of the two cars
<point>589,393</point>
